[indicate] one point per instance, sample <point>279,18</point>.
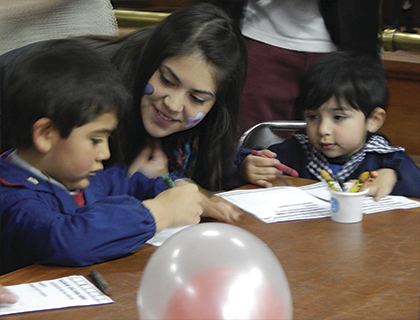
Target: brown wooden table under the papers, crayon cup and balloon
<point>367,270</point>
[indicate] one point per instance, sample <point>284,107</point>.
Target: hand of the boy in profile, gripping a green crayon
<point>177,206</point>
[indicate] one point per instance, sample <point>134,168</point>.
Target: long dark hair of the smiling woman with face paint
<point>200,28</point>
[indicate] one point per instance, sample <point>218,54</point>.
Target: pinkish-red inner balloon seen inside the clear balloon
<point>225,293</point>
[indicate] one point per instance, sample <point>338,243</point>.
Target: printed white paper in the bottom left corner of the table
<point>71,291</point>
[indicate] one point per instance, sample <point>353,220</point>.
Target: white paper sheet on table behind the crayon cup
<point>278,204</point>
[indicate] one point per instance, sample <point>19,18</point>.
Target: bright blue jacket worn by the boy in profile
<point>41,223</point>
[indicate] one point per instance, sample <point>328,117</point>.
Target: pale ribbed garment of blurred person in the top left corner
<point>26,21</point>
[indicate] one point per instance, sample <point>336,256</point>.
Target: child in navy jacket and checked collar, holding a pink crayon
<point>343,97</point>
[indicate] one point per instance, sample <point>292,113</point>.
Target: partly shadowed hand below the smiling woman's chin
<point>151,161</point>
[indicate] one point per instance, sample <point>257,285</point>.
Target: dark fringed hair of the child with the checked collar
<point>358,78</point>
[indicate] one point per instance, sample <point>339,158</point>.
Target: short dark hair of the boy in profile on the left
<point>63,80</point>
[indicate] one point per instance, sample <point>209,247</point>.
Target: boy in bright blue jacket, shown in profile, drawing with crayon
<point>57,205</point>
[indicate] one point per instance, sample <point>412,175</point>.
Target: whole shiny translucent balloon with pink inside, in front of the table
<point>214,271</point>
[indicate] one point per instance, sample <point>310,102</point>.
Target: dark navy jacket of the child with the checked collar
<point>291,153</point>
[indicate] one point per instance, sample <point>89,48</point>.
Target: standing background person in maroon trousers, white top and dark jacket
<point>284,37</point>
